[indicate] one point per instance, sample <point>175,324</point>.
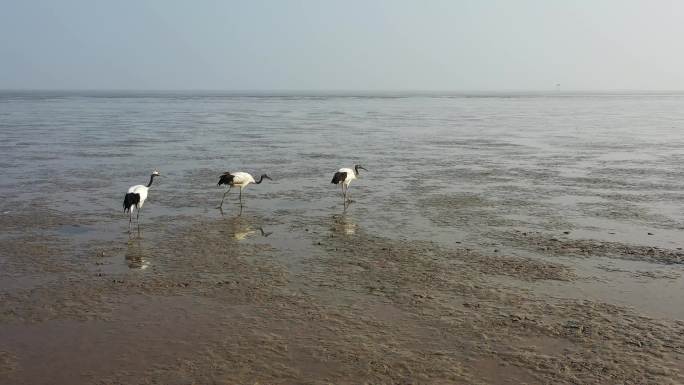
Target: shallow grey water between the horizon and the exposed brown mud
<point>456,170</point>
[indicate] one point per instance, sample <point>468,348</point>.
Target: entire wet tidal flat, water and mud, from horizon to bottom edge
<point>495,240</point>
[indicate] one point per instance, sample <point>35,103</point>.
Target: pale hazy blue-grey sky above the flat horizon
<point>342,45</point>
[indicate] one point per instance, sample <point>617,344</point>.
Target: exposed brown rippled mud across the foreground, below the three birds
<point>208,300</point>
